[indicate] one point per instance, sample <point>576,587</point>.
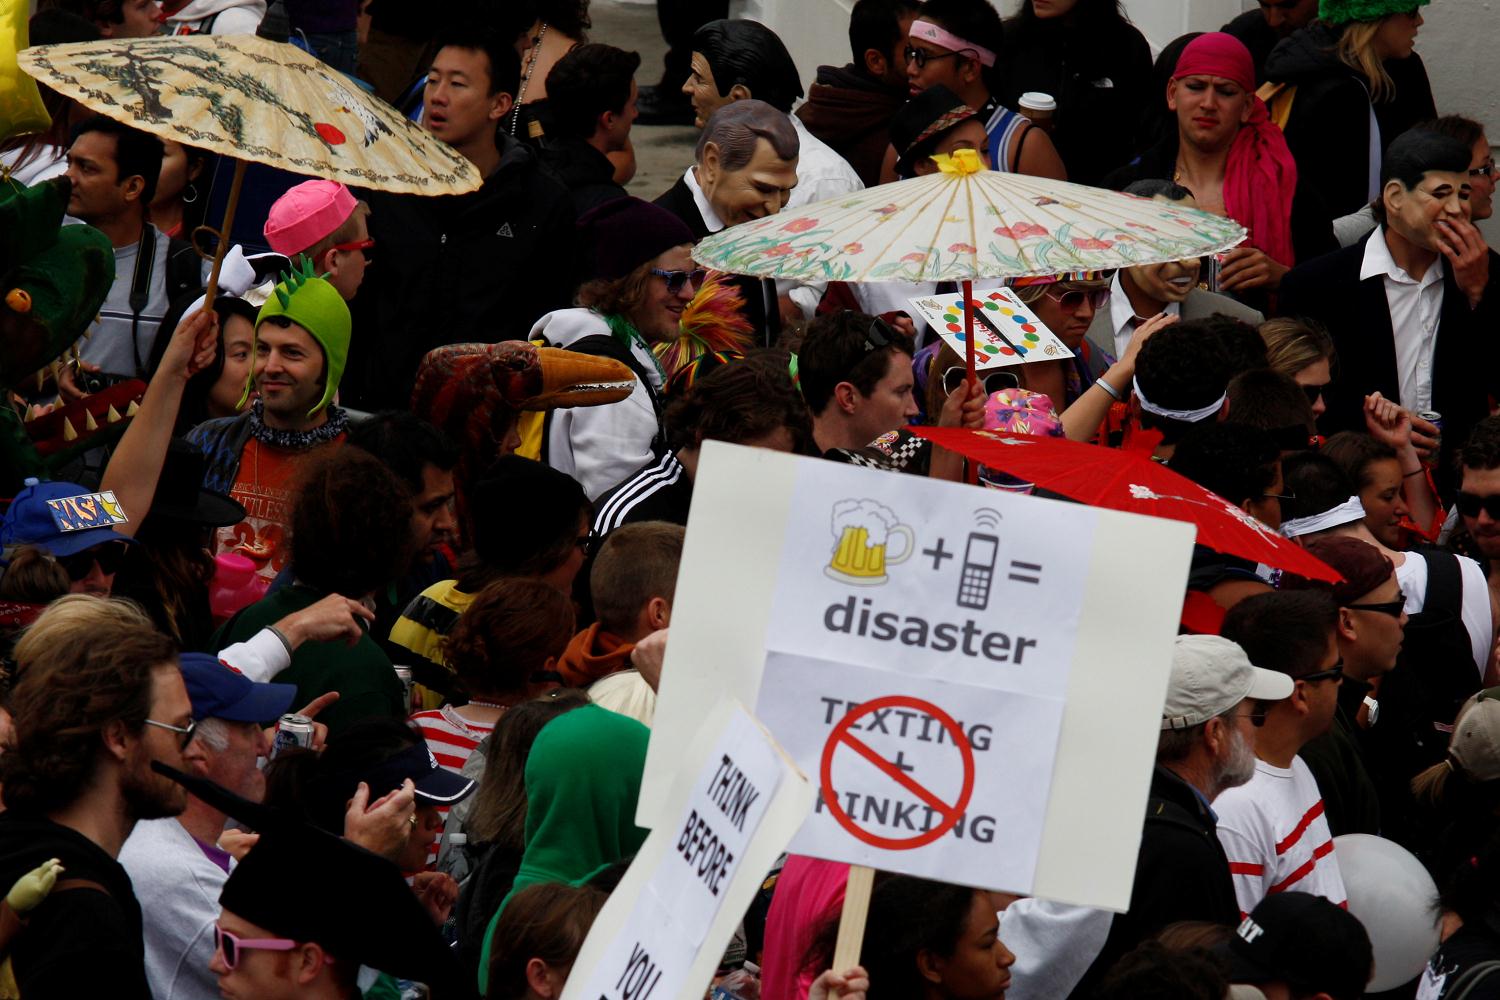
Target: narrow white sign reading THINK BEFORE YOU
<point>665,929</point>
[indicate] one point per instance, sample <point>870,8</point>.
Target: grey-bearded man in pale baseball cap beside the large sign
<point>1207,747</point>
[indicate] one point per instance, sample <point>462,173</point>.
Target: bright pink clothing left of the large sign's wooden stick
<point>808,894</point>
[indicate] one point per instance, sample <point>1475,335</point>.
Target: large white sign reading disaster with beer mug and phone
<point>974,678</point>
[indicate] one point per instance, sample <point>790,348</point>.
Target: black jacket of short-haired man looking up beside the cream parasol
<point>457,269</point>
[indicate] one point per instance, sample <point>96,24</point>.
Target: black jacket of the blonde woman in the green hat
<point>1328,130</point>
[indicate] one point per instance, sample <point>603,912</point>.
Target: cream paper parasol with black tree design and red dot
<point>254,101</point>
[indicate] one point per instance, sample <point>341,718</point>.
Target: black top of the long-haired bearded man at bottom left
<point>80,942</point>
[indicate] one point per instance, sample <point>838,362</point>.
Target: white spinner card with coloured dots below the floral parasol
<point>1006,331</point>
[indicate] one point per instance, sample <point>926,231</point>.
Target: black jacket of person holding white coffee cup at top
<point>1100,79</point>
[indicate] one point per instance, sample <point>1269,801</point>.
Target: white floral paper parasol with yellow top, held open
<point>967,223</point>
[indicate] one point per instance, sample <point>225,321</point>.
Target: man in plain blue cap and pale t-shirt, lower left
<point>179,866</point>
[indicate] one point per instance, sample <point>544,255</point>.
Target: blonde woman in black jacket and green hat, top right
<point>1349,85</point>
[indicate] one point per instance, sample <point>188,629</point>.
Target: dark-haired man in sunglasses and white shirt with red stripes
<point>1274,828</point>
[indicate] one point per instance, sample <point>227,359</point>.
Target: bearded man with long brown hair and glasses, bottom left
<point>89,722</point>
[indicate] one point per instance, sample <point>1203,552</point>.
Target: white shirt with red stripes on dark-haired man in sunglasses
<point>1277,839</point>
